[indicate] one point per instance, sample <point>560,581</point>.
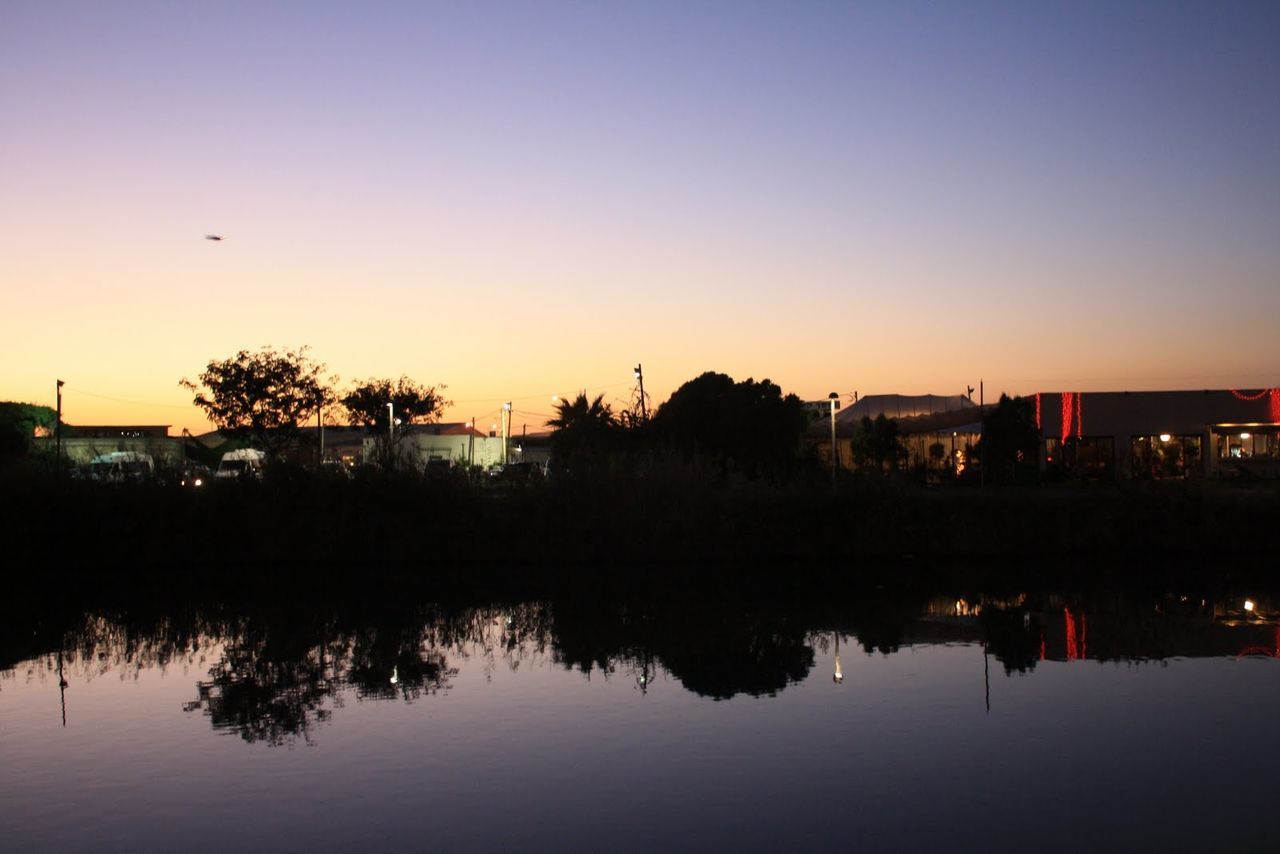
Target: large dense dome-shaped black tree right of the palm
<point>751,426</point>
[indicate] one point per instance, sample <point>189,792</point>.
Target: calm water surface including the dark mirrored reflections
<point>1017,723</point>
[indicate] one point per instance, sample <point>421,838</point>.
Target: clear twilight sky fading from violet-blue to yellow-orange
<point>519,200</point>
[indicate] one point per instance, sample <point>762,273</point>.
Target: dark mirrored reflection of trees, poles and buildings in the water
<point>275,677</point>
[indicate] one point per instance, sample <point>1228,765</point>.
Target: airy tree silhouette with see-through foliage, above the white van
<point>263,396</point>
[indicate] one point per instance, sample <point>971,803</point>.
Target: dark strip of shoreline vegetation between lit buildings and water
<point>683,526</point>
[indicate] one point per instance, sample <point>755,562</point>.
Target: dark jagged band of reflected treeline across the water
<point>289,655</point>
